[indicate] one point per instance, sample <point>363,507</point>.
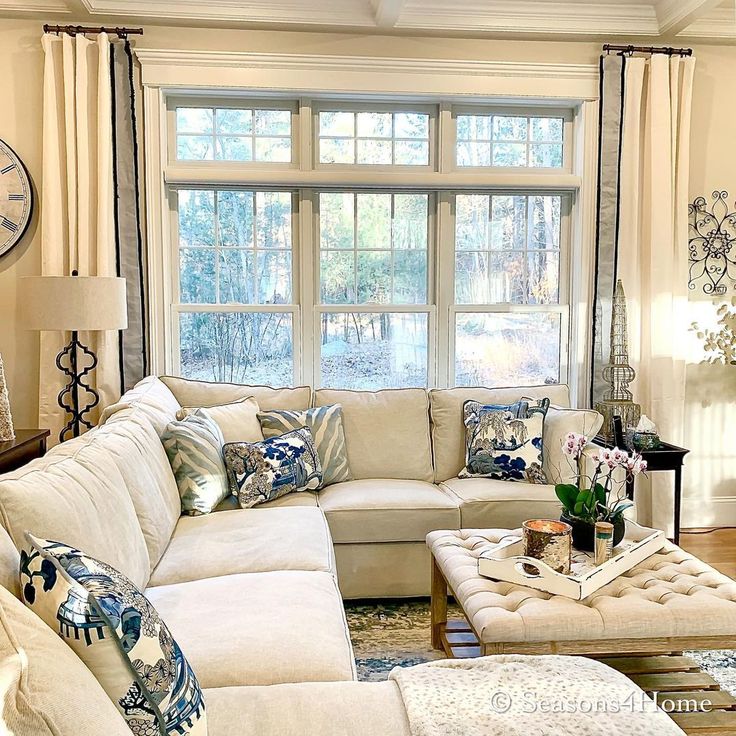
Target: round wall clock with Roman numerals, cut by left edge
<point>16,198</point>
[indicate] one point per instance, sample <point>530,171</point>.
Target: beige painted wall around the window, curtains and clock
<point>711,391</point>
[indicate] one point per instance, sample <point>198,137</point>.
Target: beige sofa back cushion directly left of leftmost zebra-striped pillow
<point>134,446</point>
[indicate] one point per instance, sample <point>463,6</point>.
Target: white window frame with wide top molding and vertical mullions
<point>171,74</point>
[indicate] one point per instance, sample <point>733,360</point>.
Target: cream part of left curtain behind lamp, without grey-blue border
<point>77,229</point>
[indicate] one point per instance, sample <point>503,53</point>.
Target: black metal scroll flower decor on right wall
<point>712,245</point>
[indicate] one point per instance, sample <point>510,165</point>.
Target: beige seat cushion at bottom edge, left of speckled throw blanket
<point>324,708</point>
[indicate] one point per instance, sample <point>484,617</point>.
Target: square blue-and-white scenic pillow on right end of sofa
<point>505,442</point>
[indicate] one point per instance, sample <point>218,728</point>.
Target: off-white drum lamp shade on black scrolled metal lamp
<point>78,303</point>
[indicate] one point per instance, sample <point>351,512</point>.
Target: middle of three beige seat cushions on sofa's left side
<point>259,628</point>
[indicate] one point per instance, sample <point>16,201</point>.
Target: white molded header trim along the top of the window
<point>172,69</point>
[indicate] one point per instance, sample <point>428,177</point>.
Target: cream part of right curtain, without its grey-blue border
<point>652,249</point>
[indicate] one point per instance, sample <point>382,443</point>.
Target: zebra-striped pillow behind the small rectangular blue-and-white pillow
<point>325,422</point>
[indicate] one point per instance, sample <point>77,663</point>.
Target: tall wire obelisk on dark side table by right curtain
<point>618,400</point>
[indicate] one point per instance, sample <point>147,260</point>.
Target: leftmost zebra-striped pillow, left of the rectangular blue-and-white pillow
<point>194,448</point>
